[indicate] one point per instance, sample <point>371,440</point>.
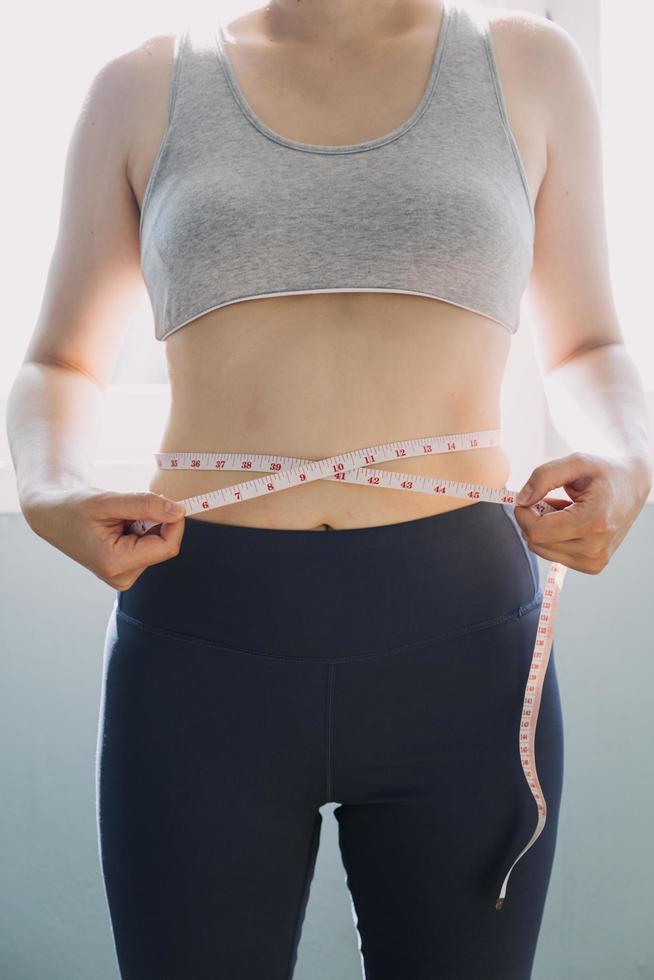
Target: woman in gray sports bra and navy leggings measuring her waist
<point>386,179</point>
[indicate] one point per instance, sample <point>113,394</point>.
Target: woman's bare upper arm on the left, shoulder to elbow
<point>94,279</point>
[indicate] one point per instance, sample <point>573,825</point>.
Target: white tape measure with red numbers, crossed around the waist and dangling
<point>357,467</point>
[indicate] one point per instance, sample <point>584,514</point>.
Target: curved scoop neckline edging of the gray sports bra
<point>218,37</point>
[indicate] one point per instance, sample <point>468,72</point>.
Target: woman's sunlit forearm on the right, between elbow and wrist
<point>598,404</point>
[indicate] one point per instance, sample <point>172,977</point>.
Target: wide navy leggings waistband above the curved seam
<point>345,593</point>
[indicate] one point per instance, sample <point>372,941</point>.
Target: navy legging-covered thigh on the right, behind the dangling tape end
<point>435,805</point>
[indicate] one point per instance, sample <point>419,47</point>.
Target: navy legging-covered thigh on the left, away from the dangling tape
<point>209,778</point>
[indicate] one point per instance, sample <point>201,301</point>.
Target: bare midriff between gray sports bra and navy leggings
<point>314,375</point>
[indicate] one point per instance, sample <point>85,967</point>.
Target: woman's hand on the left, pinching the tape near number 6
<point>90,524</point>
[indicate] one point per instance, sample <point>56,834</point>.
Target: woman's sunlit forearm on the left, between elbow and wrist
<point>53,422</point>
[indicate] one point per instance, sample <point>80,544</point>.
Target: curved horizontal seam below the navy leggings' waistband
<point>514,614</point>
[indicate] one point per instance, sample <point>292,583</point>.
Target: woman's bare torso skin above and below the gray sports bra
<point>314,375</point>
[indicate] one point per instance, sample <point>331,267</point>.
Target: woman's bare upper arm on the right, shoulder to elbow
<point>569,293</point>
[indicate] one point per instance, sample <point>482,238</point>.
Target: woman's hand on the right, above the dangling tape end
<point>607,495</point>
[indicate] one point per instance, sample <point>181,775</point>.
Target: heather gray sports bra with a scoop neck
<point>438,207</point>
